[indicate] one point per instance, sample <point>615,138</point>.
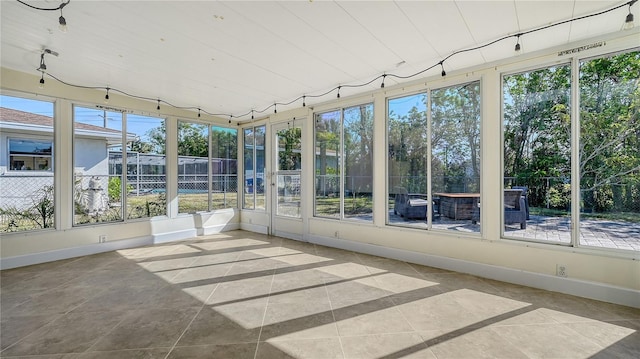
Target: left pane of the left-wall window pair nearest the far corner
<point>193,169</point>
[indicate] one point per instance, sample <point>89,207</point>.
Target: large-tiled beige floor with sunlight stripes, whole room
<point>246,295</point>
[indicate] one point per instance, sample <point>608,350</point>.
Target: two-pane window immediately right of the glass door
<point>344,163</point>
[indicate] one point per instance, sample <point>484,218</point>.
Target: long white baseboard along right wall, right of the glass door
<point>586,289</point>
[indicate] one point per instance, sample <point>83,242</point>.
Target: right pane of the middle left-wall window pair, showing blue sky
<point>146,167</point>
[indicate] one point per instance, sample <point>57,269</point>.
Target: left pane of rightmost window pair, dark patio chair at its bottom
<point>537,154</point>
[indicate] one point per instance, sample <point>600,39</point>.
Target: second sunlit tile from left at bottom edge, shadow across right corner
<point>398,345</point>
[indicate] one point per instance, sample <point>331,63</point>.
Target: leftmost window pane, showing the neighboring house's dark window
<point>27,181</point>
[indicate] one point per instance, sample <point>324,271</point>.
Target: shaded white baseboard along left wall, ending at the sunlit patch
<point>66,253</point>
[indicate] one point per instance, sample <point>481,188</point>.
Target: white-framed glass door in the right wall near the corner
<point>286,179</point>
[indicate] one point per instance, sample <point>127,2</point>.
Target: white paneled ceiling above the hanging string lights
<point>234,56</point>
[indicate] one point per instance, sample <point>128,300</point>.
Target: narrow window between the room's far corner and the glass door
<point>254,164</point>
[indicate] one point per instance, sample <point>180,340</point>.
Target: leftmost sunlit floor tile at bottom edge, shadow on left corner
<point>324,348</point>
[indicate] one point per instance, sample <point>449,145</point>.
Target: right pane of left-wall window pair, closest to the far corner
<point>224,168</point>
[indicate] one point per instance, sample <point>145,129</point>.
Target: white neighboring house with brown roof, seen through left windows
<point>27,155</point>
